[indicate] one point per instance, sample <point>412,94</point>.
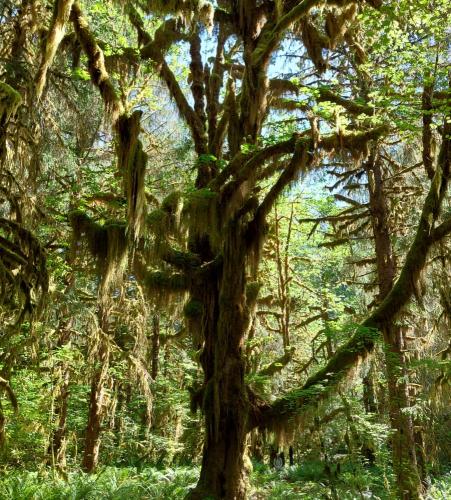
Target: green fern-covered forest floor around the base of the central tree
<point>306,481</point>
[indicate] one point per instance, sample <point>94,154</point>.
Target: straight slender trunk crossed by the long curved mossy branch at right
<point>403,441</point>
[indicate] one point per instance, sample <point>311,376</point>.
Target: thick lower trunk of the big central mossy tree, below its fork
<point>225,401</point>
